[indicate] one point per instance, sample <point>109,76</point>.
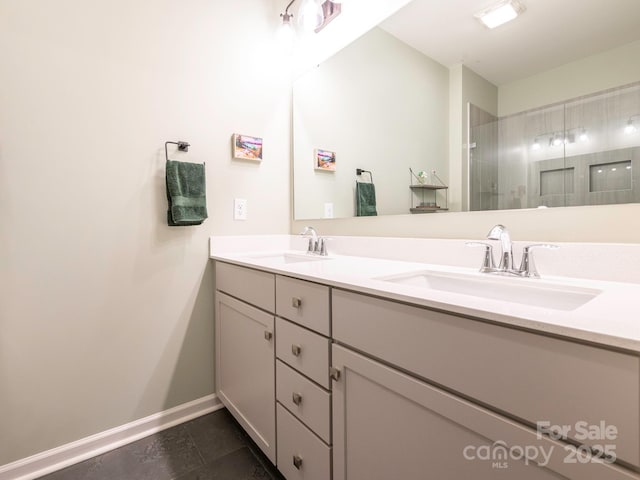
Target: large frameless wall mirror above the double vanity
<point>542,111</point>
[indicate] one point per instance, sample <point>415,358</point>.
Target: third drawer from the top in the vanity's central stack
<point>307,401</point>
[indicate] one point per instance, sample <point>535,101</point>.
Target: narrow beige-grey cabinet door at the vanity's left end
<point>245,368</point>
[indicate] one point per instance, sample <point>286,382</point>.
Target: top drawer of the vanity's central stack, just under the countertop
<point>303,302</point>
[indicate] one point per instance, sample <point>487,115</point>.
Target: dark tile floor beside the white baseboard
<point>211,447</point>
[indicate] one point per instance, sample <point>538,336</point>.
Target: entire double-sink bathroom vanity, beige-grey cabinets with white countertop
<point>346,367</point>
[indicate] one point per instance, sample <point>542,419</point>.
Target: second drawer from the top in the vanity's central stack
<point>303,350</point>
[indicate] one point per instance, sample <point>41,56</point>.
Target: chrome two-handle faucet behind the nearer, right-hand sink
<point>506,266</point>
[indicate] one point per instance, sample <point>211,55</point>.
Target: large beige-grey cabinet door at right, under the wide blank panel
<point>387,425</point>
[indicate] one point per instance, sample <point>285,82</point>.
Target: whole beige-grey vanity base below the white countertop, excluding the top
<point>360,387</point>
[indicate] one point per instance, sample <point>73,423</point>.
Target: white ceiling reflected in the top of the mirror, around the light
<point>548,34</point>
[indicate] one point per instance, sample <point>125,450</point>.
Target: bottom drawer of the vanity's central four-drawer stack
<point>301,455</point>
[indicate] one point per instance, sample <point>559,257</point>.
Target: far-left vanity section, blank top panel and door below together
<point>245,351</point>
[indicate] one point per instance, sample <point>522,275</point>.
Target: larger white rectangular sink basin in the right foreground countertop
<point>515,290</point>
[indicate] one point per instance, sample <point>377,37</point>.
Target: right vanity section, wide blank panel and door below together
<point>440,387</point>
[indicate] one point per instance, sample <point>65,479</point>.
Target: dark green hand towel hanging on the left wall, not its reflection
<point>186,193</point>
